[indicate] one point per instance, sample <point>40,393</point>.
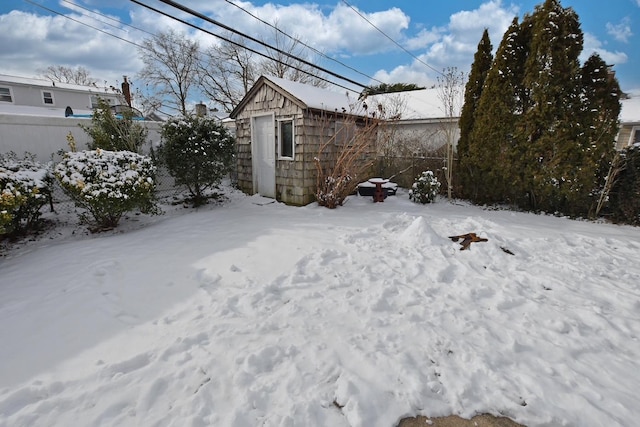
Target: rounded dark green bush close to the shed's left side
<point>198,152</point>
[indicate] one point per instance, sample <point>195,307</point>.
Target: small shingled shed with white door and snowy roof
<point>280,127</point>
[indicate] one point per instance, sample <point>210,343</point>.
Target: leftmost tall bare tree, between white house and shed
<point>170,68</point>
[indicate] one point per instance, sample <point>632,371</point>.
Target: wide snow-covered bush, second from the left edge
<point>107,184</point>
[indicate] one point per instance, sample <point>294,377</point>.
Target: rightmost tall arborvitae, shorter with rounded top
<point>598,125</point>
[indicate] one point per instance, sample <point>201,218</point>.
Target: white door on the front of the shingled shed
<point>264,156</point>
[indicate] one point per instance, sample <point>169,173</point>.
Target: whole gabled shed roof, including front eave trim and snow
<point>306,96</point>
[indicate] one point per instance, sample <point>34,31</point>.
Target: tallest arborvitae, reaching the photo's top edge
<point>552,78</point>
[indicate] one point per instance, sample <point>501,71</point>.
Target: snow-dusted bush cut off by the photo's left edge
<point>25,186</point>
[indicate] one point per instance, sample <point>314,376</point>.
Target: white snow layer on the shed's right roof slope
<point>318,98</point>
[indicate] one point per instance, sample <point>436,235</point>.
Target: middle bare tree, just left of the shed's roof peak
<point>227,72</point>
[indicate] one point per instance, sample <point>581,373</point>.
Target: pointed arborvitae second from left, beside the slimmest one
<point>491,137</point>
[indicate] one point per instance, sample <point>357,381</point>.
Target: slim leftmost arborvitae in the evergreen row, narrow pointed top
<point>479,69</point>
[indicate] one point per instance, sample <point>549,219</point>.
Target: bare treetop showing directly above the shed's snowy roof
<point>283,63</point>
